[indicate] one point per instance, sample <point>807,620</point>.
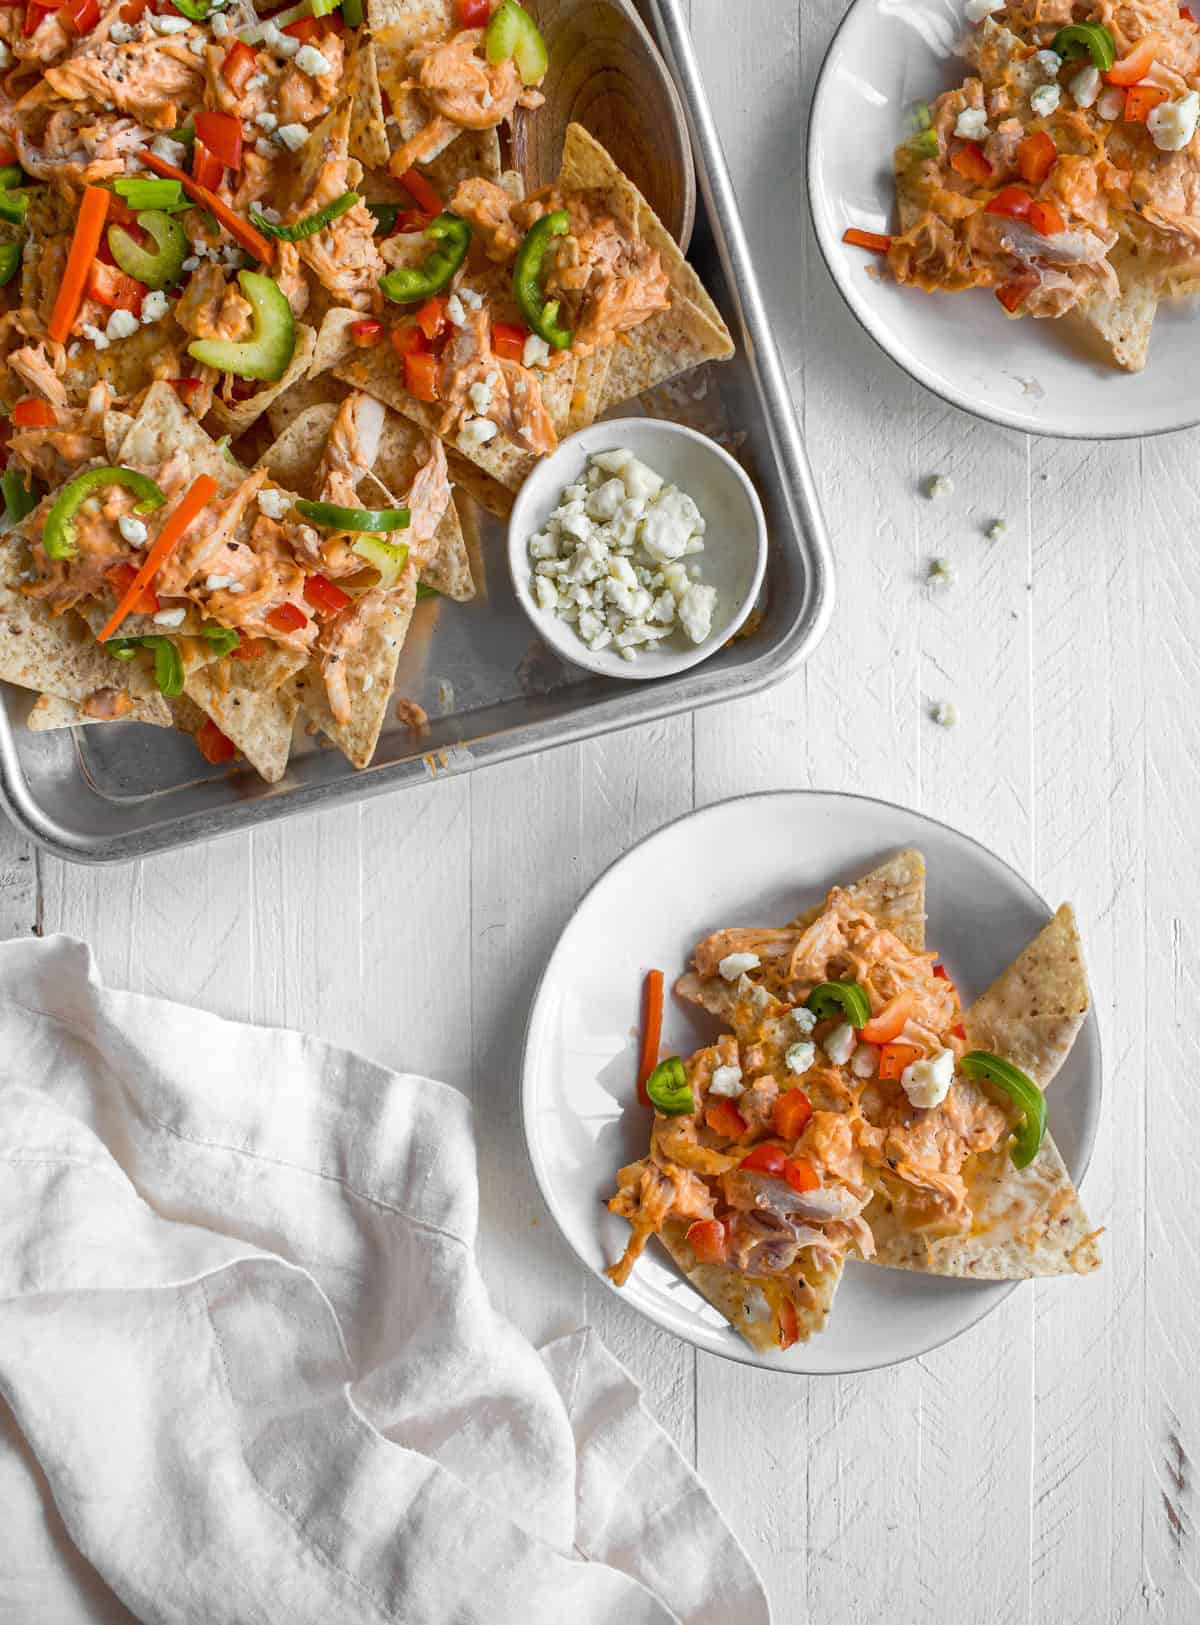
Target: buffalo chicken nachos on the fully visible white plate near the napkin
<point>853,1109</point>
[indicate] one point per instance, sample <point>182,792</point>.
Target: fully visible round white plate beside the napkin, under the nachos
<point>757,860</point>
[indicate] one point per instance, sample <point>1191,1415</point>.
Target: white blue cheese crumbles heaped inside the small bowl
<point>612,560</point>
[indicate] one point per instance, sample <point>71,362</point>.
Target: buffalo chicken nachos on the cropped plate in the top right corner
<point>1064,173</point>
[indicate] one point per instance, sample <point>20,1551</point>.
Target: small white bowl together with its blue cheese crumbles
<point>638,548</point>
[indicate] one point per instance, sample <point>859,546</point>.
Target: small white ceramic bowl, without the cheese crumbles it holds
<point>736,540</point>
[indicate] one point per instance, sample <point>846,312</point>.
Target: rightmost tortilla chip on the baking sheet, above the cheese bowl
<point>676,340</point>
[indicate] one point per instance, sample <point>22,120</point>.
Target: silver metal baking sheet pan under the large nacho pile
<point>113,792</point>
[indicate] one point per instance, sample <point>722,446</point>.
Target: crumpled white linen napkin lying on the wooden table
<point>248,1366</point>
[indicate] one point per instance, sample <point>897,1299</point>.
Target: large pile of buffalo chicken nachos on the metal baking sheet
<point>267,298</point>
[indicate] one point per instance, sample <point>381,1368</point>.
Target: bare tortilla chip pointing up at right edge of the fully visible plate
<point>1033,1013</point>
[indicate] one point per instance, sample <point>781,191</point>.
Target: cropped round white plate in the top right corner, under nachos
<point>1050,376</point>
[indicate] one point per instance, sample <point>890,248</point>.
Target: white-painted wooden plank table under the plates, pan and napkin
<point>1043,1468</point>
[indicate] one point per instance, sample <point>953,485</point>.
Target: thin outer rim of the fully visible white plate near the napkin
<point>734,1353</point>
